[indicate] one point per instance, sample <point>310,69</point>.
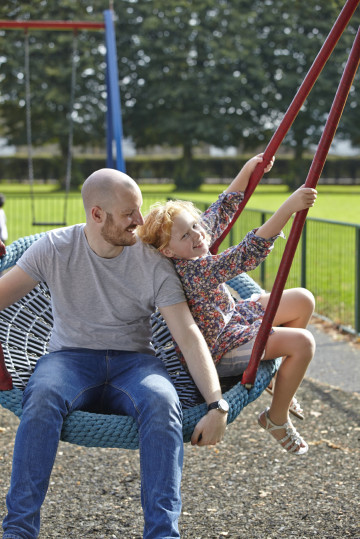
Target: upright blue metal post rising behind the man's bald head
<point>114,131</point>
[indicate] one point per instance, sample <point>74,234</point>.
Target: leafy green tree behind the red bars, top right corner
<point>290,35</point>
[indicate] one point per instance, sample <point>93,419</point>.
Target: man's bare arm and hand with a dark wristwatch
<point>210,429</point>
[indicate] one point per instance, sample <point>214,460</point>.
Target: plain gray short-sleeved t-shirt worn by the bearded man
<point>101,303</point>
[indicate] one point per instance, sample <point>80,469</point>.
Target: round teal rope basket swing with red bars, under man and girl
<point>84,428</point>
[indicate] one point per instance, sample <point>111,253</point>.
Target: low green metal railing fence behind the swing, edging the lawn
<point>327,260</point>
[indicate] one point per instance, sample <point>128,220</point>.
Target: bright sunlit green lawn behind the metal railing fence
<point>330,263</point>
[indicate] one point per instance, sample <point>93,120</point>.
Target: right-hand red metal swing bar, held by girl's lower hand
<point>296,229</point>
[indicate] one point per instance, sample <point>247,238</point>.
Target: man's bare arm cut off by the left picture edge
<point>14,285</point>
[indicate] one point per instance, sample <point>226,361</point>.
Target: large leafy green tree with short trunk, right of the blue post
<point>186,76</point>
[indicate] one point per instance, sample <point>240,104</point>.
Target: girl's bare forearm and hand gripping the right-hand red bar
<point>301,199</point>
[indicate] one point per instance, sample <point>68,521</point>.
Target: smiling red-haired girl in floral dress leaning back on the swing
<point>178,231</point>
